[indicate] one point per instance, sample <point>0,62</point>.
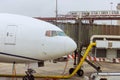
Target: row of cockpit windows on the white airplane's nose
<point>51,33</point>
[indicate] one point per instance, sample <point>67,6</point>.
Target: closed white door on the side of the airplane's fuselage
<point>10,35</point>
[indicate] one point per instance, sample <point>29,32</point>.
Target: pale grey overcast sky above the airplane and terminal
<point>46,8</point>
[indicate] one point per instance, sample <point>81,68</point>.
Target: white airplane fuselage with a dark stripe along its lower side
<point>24,39</point>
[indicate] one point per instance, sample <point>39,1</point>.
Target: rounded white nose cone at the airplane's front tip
<point>70,46</point>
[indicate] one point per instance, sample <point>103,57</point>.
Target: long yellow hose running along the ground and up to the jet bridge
<point>59,76</point>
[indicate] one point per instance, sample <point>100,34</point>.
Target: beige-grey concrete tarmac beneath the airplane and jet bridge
<point>59,68</point>
